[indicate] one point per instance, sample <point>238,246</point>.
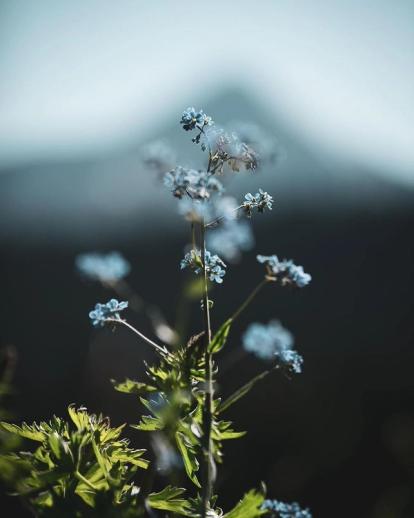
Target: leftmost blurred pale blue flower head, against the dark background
<point>103,267</point>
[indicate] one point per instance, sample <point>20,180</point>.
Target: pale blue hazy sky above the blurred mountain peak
<point>78,77</point>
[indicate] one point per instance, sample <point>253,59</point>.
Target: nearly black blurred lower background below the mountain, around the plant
<point>339,437</point>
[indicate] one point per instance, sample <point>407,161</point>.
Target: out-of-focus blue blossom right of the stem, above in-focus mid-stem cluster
<point>232,238</point>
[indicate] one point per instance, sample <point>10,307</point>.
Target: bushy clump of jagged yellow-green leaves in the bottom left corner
<point>81,467</point>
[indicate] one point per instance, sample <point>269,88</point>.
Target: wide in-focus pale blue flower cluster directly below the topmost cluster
<point>198,185</point>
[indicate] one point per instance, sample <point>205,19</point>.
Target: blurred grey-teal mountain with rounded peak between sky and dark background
<point>110,195</point>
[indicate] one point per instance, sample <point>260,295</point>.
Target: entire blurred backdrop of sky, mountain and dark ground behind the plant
<point>85,87</point>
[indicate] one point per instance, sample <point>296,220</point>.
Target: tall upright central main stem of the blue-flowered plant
<point>208,461</point>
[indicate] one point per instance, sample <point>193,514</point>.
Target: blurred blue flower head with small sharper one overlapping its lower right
<point>272,341</point>
